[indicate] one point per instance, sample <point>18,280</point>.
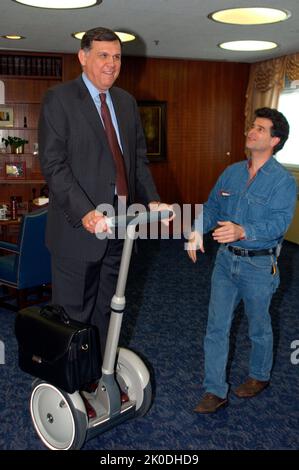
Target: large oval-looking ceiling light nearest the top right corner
<point>250,16</point>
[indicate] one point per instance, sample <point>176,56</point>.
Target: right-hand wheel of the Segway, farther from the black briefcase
<point>134,379</point>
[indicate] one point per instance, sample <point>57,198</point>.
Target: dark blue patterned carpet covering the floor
<point>167,299</point>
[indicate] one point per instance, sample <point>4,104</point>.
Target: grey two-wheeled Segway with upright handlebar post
<point>60,419</point>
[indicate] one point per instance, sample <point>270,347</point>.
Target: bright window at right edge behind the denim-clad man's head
<point>289,105</point>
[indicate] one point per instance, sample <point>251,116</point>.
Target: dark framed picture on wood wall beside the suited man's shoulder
<point>153,118</point>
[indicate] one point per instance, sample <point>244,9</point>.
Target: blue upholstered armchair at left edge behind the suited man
<point>25,266</point>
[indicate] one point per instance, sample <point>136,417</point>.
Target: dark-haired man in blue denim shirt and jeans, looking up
<point>249,210</point>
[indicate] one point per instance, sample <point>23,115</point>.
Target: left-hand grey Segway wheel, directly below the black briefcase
<point>59,418</point>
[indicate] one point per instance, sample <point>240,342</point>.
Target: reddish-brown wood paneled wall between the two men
<point>205,119</point>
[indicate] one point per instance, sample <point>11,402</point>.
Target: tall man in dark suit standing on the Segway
<point>81,171</point>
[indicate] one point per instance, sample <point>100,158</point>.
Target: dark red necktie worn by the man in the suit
<point>121,179</point>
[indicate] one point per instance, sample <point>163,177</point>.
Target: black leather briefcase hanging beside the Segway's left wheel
<point>61,351</point>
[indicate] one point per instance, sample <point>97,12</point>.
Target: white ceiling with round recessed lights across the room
<point>164,28</point>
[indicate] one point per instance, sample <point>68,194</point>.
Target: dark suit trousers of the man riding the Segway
<point>85,288</point>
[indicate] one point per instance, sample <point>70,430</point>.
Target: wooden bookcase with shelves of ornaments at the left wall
<point>26,78</point>
